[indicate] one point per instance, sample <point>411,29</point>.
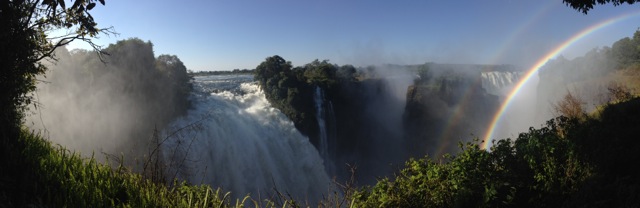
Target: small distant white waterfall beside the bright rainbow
<point>499,82</point>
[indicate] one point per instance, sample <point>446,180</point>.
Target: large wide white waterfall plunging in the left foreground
<point>242,144</point>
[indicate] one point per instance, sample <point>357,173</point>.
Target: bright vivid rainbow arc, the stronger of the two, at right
<point>497,118</point>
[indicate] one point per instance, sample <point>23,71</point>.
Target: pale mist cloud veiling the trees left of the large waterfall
<point>110,106</point>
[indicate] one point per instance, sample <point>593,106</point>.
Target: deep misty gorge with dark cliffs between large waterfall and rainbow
<point>382,120</point>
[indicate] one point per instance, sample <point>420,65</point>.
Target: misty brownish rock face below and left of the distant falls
<point>440,113</point>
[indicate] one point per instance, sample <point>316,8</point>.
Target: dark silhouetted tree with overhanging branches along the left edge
<point>25,45</point>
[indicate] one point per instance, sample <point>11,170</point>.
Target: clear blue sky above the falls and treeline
<point>238,34</point>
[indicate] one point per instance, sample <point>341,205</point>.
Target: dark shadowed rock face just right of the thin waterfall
<point>368,129</point>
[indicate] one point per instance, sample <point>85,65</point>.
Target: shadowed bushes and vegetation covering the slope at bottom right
<point>568,163</point>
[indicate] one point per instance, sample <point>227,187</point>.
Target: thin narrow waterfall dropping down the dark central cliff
<point>323,128</point>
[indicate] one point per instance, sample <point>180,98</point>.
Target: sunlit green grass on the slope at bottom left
<point>59,178</point>
